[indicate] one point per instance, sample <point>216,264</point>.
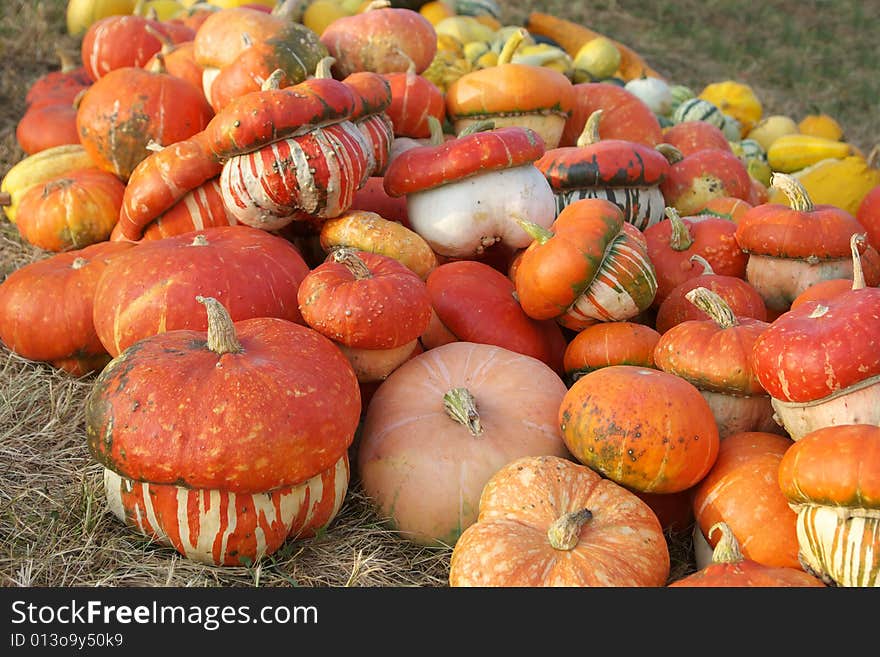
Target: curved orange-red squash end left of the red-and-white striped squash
<point>162,179</point>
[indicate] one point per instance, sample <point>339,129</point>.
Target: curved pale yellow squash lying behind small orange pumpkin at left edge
<point>38,168</point>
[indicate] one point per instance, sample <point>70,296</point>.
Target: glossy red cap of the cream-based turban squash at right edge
<point>800,358</point>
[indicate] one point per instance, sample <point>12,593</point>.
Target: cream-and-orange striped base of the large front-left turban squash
<point>224,528</point>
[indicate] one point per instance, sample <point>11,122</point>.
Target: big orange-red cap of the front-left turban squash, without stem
<point>274,415</point>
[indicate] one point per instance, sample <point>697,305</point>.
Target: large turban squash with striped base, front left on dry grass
<point>245,453</point>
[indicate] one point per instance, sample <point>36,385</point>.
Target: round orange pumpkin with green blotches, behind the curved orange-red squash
<point>129,107</point>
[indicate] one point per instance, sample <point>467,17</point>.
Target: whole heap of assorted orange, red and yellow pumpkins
<point>547,304</point>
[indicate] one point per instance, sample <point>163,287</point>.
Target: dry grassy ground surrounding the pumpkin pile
<point>799,57</point>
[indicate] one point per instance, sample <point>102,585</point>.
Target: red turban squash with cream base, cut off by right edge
<point>814,377</point>
